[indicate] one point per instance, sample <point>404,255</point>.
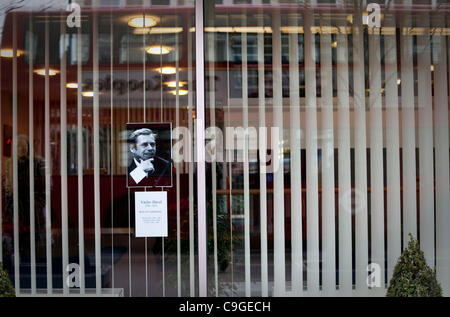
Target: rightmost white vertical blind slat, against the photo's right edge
<point>442,164</point>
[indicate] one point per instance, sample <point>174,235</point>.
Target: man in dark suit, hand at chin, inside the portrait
<point>146,168</point>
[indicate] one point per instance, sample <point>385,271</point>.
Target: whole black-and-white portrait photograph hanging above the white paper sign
<point>149,149</point>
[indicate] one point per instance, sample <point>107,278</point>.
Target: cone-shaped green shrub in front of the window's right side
<point>412,276</point>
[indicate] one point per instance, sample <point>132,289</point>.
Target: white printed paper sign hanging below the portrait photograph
<point>151,214</point>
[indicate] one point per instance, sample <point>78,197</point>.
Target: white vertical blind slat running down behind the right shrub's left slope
<point>393,155</point>
